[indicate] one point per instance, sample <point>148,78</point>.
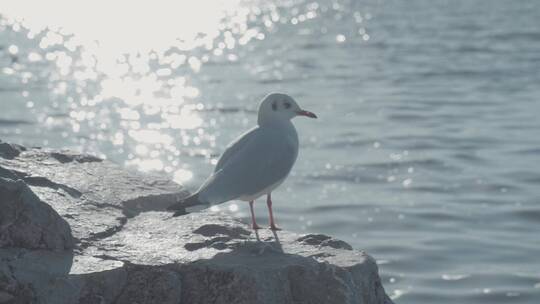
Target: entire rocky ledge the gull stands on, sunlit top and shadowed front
<point>78,229</point>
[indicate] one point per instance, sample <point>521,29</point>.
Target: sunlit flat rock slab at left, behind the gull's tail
<point>96,197</point>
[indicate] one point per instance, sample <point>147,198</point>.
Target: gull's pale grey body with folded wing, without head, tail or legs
<point>260,162</point>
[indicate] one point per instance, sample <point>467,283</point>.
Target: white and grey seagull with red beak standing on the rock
<point>255,163</point>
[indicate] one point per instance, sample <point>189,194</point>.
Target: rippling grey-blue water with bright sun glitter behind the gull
<point>426,153</point>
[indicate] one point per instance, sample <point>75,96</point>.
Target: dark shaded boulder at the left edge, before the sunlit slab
<point>27,222</point>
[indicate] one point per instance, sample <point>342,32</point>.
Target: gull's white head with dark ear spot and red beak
<point>278,106</point>
